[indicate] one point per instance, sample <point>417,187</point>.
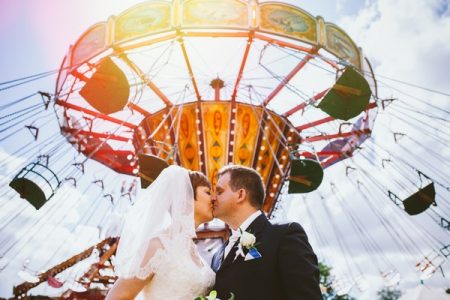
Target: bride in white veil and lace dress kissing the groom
<point>156,257</point>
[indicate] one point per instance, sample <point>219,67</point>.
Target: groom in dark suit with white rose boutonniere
<point>260,260</point>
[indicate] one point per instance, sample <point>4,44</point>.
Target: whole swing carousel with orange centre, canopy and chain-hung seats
<point>203,84</point>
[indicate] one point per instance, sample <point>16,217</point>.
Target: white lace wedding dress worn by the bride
<point>180,272</point>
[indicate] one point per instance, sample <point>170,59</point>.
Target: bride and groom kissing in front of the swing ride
<point>157,258</point>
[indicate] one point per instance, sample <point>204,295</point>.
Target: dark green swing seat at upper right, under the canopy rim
<point>348,97</point>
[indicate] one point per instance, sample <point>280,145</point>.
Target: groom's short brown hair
<point>246,178</point>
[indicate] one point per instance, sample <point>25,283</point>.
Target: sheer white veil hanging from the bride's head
<point>166,208</point>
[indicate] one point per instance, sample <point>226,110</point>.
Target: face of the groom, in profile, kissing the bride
<point>225,199</point>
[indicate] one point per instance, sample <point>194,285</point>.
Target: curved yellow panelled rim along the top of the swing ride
<point>142,23</point>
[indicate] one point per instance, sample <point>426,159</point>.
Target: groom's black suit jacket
<point>288,268</point>
